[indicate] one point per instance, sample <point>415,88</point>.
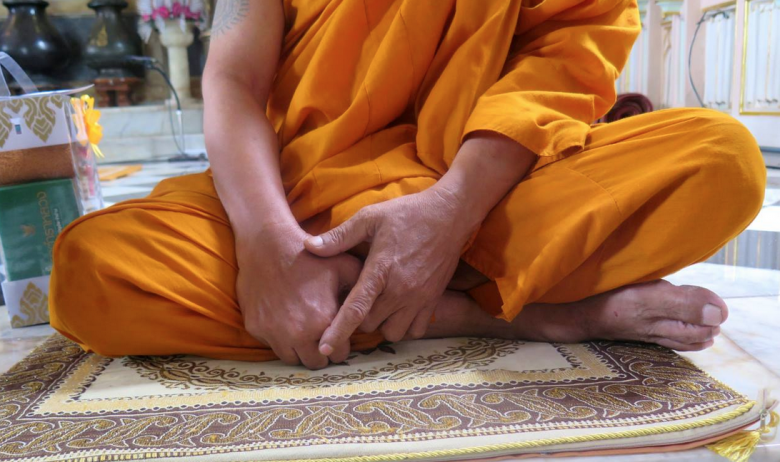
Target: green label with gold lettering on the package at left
<point>32,215</point>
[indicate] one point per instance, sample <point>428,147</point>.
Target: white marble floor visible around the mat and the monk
<point>746,356</point>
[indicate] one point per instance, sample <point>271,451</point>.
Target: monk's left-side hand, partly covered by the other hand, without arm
<point>288,305</point>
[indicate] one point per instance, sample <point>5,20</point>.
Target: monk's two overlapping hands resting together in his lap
<point>291,285</point>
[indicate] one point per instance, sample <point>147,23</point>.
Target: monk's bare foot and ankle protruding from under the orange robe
<point>679,317</point>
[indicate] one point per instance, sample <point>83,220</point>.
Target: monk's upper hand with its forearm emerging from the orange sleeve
<point>416,241</point>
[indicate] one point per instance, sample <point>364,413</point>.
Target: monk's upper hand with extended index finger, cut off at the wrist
<point>416,242</point>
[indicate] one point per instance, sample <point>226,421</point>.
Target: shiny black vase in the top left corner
<point>31,39</point>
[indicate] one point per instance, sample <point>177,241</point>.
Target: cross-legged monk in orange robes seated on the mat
<point>415,169</point>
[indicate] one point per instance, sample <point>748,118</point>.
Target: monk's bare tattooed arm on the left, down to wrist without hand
<point>240,140</point>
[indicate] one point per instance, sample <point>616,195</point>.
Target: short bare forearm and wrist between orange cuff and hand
<point>487,167</point>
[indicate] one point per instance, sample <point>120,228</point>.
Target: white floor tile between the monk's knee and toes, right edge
<point>729,281</point>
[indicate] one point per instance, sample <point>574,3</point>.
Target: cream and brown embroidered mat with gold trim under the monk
<point>422,400</point>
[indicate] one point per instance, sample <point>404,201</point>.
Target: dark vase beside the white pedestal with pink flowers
<point>111,40</point>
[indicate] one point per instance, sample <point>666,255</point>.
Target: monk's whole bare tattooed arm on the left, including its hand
<point>286,295</point>
